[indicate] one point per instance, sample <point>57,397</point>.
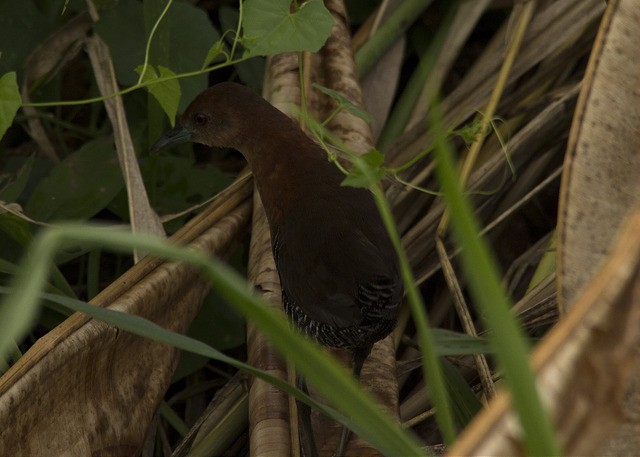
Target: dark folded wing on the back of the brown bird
<point>331,269</point>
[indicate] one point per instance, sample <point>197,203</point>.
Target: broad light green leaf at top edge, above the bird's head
<point>270,27</point>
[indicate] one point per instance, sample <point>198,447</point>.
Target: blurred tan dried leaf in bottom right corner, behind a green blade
<point>582,380</point>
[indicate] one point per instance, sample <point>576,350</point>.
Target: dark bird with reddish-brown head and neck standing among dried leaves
<point>338,269</point>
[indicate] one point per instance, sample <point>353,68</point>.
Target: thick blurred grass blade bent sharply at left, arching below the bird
<point>331,380</point>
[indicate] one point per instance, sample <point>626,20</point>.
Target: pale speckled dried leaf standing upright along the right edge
<point>601,185</point>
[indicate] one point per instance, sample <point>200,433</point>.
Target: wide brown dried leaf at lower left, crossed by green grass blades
<point>95,371</point>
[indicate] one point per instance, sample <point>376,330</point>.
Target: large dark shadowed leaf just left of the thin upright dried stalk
<point>79,186</point>
